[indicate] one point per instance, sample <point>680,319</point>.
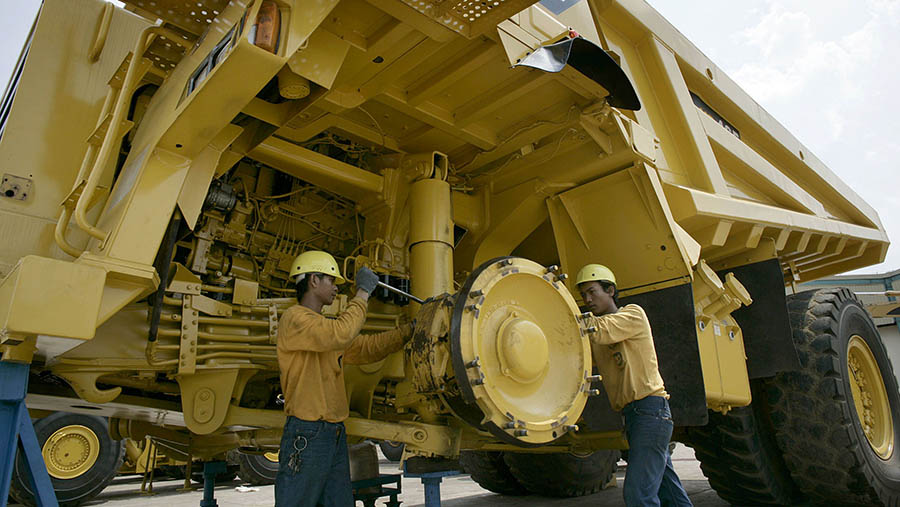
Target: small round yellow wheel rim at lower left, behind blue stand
<point>71,451</point>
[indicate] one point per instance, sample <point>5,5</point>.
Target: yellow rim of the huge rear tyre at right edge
<point>870,397</point>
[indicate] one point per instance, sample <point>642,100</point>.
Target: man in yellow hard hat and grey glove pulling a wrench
<point>313,463</point>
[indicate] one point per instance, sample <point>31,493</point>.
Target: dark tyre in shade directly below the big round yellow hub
<point>563,475</point>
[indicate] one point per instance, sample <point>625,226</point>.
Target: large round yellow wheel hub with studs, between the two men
<point>518,352</point>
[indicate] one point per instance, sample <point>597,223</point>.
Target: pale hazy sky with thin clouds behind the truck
<point>824,68</point>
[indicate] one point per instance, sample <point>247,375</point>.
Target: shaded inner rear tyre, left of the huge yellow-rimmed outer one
<point>740,458</point>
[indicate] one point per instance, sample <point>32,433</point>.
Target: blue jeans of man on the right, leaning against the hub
<point>650,479</point>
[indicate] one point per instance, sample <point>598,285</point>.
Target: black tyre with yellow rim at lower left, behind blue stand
<point>81,458</point>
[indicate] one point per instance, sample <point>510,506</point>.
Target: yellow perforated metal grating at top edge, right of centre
<point>470,18</point>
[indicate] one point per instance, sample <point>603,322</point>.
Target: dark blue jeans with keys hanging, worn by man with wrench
<point>323,477</point>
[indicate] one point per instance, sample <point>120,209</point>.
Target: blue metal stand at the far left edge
<point>17,432</point>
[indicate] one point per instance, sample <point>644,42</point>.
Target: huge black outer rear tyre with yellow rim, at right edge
<point>837,419</point>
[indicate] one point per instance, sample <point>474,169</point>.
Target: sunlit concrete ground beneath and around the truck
<point>456,491</point>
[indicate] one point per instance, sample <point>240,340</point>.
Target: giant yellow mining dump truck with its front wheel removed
<point>165,162</point>
